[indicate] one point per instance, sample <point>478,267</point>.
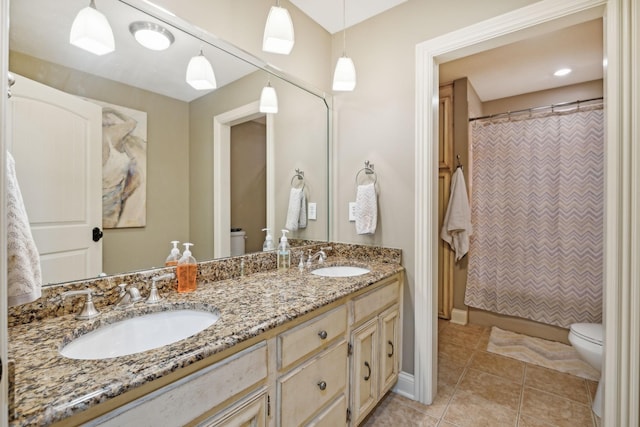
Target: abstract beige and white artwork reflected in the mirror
<point>124,166</point>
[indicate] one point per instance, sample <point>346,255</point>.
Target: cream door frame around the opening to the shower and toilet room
<point>622,241</point>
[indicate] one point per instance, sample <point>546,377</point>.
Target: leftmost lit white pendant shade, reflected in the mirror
<point>91,31</point>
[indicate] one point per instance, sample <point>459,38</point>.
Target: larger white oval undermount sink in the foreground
<point>137,334</point>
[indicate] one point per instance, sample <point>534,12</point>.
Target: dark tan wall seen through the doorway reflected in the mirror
<point>249,182</point>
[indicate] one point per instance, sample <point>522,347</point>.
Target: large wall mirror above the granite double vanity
<point>208,160</point>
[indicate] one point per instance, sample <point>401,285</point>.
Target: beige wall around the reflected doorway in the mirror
<point>300,129</point>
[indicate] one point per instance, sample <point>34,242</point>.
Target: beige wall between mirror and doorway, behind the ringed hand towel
<point>376,122</point>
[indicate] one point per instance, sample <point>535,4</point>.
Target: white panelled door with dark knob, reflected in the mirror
<point>56,140</point>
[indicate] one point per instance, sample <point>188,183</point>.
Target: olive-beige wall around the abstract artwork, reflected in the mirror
<point>128,249</point>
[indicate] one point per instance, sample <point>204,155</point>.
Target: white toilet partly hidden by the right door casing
<point>586,338</point>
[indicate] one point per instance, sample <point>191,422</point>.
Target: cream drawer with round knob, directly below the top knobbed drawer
<point>310,387</point>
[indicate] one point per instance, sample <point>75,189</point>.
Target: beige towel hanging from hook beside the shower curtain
<point>456,227</point>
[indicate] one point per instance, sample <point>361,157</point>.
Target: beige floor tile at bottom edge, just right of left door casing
<point>483,399</point>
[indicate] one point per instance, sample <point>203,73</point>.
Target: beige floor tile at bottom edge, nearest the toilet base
<point>550,409</point>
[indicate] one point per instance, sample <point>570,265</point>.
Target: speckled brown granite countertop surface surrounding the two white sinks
<point>48,387</point>
